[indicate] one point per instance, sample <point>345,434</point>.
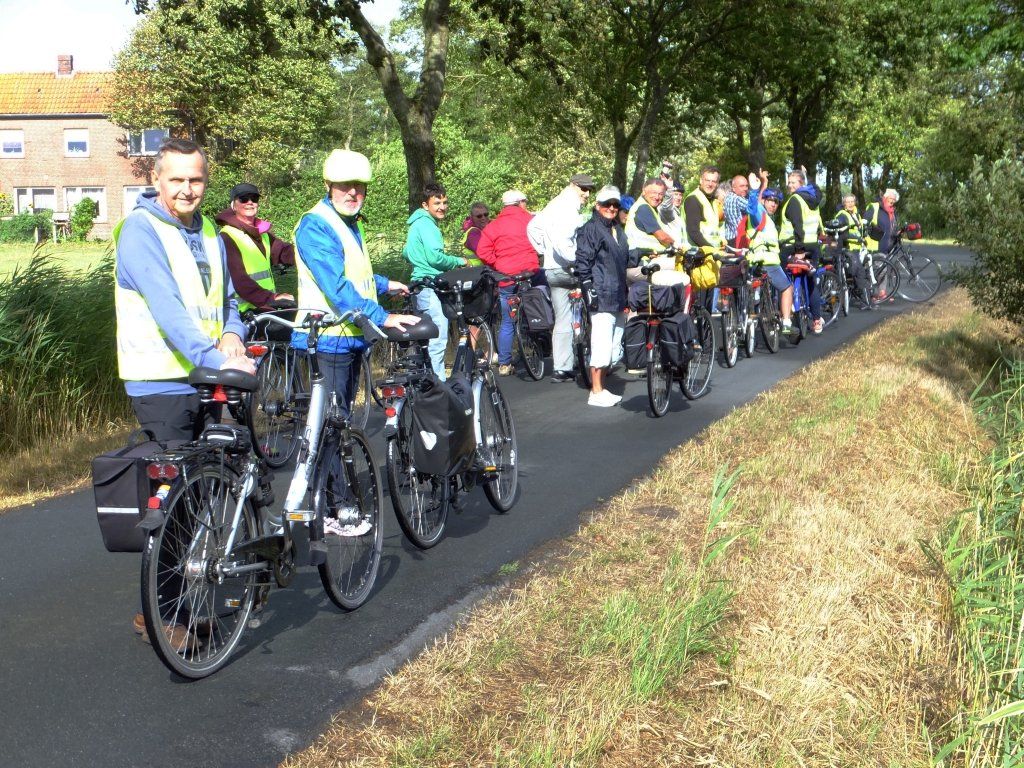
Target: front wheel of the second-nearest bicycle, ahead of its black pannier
<point>497,444</point>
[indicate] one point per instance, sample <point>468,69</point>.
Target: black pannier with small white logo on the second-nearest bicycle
<point>443,426</point>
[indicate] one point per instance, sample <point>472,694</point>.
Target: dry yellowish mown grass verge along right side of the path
<point>822,638</point>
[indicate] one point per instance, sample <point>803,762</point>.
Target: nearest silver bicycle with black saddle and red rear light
<point>215,545</point>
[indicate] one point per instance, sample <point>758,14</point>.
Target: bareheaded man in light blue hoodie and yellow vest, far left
<point>175,304</point>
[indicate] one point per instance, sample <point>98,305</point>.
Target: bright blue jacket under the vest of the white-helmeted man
<point>325,255</point>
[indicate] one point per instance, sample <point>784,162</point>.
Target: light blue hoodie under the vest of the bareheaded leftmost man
<point>143,267</point>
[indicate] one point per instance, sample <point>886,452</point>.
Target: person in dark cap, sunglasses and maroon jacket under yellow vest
<point>252,250</point>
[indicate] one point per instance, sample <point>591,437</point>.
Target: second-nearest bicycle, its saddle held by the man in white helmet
<point>421,499</point>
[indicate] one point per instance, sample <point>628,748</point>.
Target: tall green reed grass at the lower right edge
<point>984,558</point>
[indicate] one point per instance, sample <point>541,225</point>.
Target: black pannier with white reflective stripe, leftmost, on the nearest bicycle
<point>122,489</point>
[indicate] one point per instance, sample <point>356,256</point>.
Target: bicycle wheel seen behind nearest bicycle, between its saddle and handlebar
<point>272,415</point>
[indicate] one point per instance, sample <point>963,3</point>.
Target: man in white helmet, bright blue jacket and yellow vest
<point>335,274</point>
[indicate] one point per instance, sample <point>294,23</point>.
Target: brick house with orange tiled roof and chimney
<point>58,146</point>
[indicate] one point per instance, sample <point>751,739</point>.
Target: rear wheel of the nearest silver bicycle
<point>200,508</point>
